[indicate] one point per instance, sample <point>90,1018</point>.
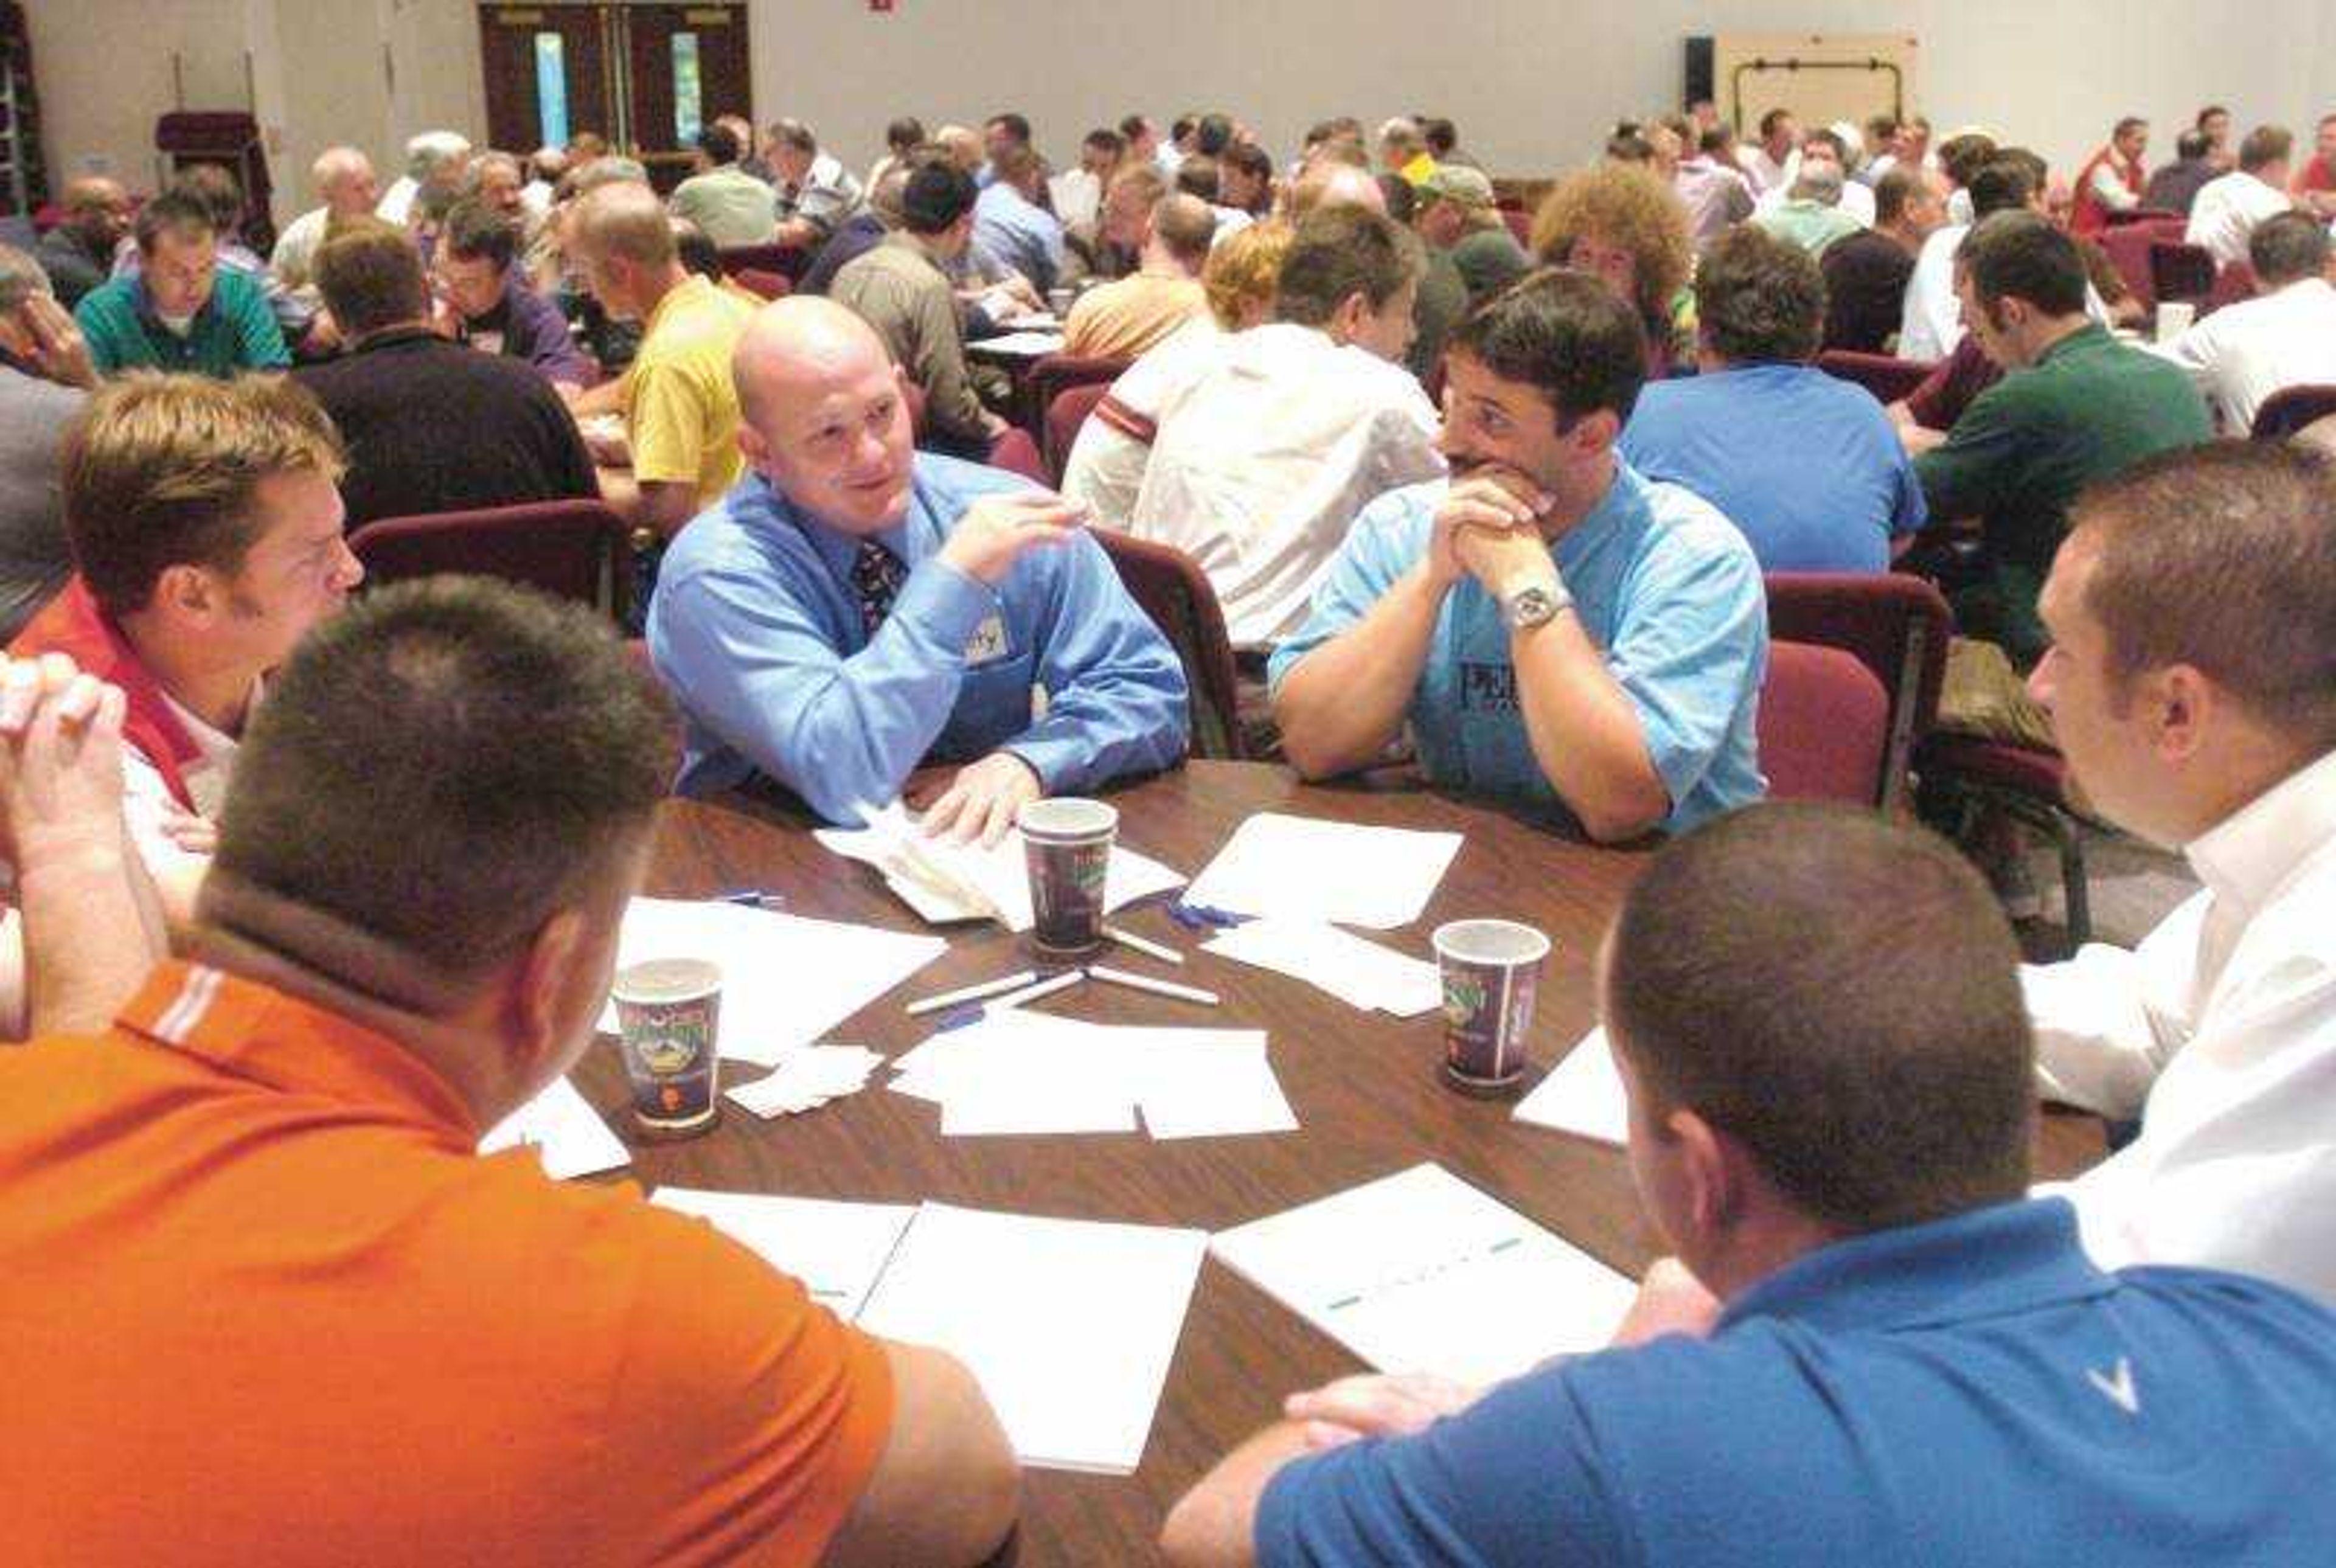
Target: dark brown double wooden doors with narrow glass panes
<point>646,78</point>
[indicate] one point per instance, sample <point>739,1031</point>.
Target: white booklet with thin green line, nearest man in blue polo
<point>1419,1272</point>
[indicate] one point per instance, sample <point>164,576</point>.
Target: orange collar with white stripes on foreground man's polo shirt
<point>286,1043</point>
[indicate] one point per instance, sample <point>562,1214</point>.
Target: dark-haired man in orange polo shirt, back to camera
<point>253,1254</point>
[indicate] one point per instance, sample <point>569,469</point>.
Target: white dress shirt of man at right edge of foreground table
<point>2220,1029</point>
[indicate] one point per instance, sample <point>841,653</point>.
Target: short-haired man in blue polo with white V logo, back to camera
<point>1868,1324</point>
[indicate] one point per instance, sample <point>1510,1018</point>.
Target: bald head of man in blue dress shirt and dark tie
<point>826,415</point>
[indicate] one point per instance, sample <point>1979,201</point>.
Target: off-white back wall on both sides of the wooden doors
<point>1531,83</point>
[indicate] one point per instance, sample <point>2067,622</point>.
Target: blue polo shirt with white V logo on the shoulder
<point>1970,1392</point>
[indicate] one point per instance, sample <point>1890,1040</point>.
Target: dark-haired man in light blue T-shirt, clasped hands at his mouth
<point>1548,623</point>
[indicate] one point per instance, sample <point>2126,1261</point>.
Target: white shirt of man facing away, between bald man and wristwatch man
<point>1263,464</point>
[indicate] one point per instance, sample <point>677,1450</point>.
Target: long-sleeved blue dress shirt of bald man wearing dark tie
<point>756,627</point>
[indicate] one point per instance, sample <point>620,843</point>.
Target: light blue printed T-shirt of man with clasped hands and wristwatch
<point>1662,583</point>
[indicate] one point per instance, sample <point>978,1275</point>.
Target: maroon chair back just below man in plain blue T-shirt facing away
<point>1898,627</point>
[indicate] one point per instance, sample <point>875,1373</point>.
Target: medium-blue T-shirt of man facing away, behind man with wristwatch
<point>1805,464</point>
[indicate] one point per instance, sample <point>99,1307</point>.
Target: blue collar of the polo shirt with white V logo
<point>1984,1263</point>
